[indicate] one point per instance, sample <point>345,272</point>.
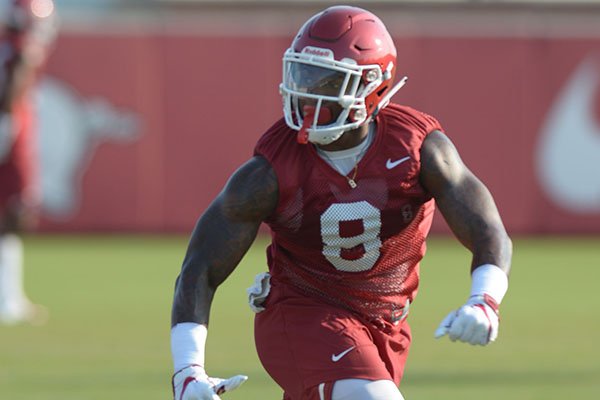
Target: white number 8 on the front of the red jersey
<point>334,244</point>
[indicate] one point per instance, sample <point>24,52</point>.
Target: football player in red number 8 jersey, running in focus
<point>347,183</point>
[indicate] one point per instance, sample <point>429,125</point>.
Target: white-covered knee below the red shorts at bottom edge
<point>362,389</point>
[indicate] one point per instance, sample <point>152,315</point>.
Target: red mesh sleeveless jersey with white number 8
<point>356,248</point>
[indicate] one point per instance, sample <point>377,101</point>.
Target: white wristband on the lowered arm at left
<point>188,341</point>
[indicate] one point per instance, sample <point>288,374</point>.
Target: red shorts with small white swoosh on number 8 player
<point>303,343</point>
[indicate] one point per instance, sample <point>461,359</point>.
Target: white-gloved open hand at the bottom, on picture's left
<point>192,383</point>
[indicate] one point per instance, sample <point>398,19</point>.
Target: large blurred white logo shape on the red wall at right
<point>569,146</point>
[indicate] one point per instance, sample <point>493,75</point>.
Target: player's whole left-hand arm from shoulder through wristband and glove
<point>222,236</point>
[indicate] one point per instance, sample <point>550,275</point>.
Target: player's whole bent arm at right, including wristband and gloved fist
<point>470,211</point>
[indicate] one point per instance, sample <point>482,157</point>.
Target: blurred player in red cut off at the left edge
<point>28,28</point>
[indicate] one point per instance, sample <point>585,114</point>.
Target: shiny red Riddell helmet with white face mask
<point>337,73</point>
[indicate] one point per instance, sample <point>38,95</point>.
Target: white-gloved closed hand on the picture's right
<point>476,322</point>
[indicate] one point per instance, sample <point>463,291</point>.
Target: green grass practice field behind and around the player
<point>110,298</point>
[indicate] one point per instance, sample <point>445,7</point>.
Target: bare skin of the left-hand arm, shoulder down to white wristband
<point>221,237</point>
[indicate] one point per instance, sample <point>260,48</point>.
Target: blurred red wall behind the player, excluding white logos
<point>203,101</point>
